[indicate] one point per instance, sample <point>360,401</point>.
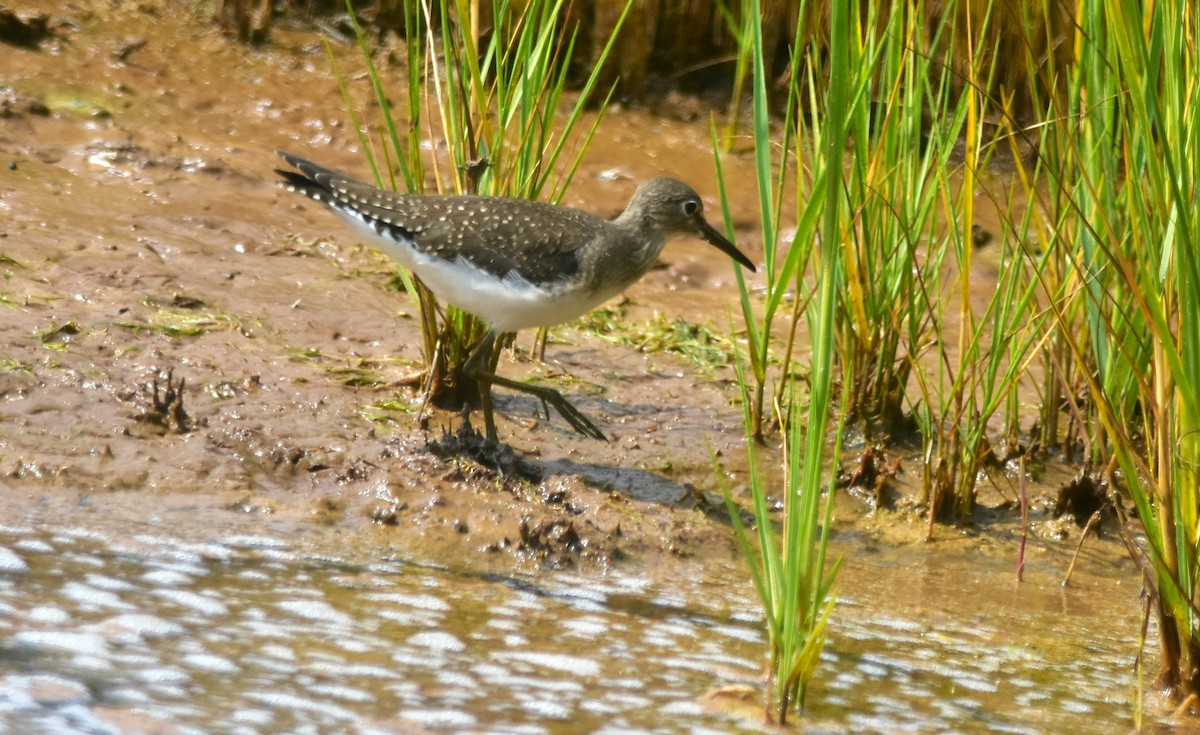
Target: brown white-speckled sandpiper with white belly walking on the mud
<point>514,264</point>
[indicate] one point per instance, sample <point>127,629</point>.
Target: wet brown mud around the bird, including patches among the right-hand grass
<point>182,339</point>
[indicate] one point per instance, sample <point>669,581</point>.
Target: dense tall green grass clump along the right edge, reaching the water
<point>1125,176</point>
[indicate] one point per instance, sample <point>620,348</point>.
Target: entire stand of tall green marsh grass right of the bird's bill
<point>1097,282</point>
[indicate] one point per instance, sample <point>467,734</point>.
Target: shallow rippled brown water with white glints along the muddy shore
<point>249,635</point>
